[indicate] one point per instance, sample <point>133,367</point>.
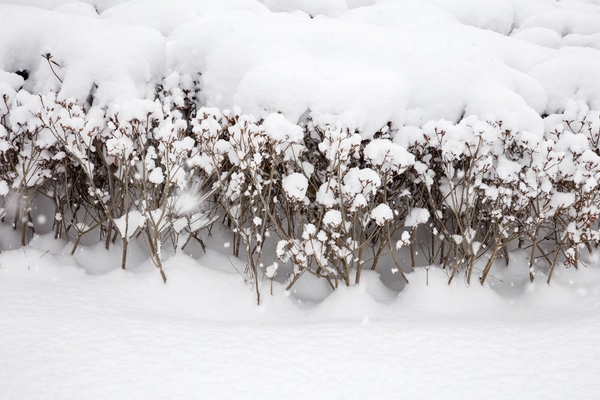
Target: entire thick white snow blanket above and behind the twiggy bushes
<point>353,63</point>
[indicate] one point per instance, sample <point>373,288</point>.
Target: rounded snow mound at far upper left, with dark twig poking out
<point>87,56</point>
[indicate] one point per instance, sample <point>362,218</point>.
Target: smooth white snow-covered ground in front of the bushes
<point>67,333</point>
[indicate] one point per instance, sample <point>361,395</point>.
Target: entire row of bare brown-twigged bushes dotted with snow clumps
<point>322,198</point>
